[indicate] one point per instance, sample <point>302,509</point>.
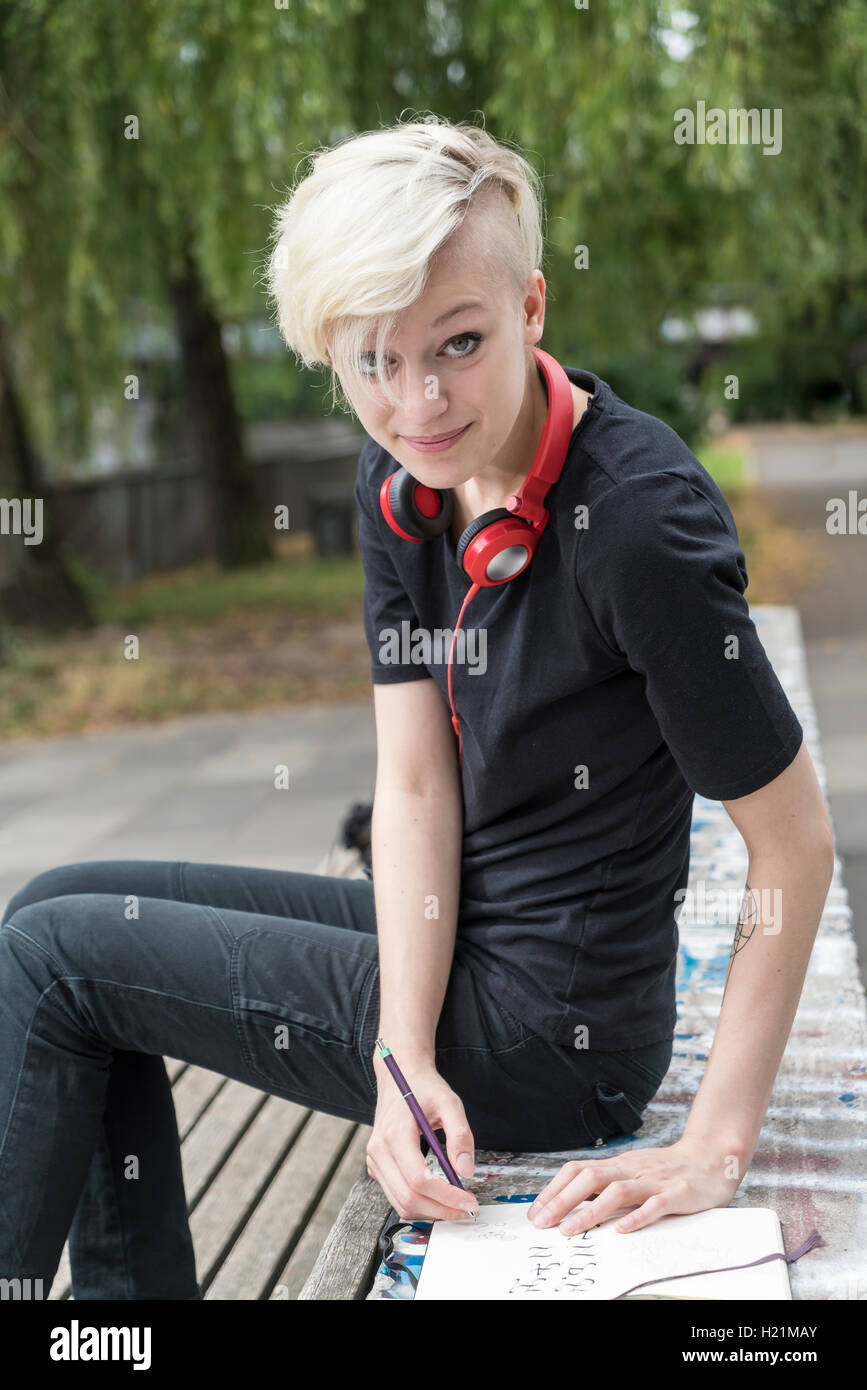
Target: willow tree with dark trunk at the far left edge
<point>38,229</point>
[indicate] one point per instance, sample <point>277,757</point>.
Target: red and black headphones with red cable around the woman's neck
<point>501,544</point>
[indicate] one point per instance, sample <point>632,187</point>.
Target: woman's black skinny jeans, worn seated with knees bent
<point>262,975</point>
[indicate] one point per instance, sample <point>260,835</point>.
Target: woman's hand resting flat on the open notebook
<point>688,1177</point>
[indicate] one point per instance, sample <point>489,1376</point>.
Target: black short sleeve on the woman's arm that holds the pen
<point>386,604</point>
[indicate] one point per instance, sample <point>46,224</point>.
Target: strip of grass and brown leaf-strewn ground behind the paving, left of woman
<point>204,640</point>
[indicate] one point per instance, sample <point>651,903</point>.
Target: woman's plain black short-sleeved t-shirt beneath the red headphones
<point>598,696</point>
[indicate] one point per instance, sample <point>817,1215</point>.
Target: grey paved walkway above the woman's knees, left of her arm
<point>198,789</point>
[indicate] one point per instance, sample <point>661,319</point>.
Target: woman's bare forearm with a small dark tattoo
<point>779,919</point>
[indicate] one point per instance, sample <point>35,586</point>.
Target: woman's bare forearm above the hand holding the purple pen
<point>416,850</point>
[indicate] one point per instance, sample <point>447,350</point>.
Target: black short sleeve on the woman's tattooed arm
<point>663,576</point>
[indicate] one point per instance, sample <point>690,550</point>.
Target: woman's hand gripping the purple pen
<point>394,1154</point>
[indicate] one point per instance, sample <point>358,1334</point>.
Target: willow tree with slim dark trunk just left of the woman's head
<point>222,104</point>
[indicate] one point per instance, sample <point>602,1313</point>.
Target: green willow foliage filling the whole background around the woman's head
<point>230,98</point>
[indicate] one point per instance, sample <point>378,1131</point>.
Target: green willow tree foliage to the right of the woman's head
<point>643,227</point>
